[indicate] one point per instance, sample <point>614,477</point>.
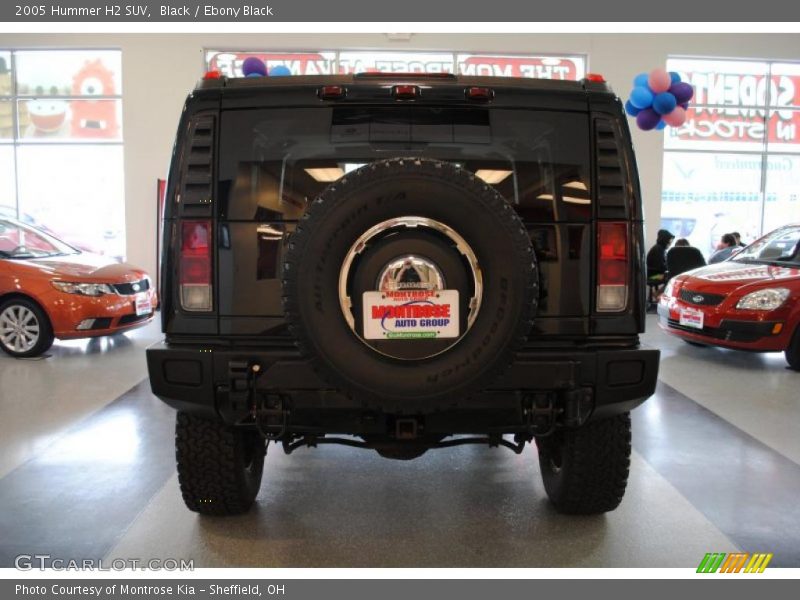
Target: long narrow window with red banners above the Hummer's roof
<point>571,67</point>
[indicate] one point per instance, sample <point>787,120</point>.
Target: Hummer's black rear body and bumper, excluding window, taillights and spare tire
<point>584,363</point>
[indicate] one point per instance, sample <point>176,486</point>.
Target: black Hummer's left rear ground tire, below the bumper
<point>219,466</point>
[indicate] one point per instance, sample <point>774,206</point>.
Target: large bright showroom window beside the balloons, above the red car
<point>735,164</point>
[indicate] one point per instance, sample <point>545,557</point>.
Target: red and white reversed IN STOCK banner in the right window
<point>748,110</point>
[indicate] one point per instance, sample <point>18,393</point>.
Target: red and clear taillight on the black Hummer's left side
<point>195,265</point>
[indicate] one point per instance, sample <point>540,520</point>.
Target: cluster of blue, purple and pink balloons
<point>659,99</point>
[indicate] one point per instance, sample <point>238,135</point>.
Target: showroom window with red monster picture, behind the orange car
<point>61,161</point>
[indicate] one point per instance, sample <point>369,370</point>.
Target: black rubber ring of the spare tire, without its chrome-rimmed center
<point>391,189</point>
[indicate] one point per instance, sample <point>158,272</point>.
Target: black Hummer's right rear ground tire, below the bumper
<point>585,470</point>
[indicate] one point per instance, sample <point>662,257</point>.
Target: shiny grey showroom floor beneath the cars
<point>333,506</point>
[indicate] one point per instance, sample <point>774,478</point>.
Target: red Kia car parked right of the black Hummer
<point>749,302</point>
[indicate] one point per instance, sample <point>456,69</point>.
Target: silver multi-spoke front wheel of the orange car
<point>25,329</point>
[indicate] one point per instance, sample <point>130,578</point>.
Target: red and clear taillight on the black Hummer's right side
<point>612,266</point>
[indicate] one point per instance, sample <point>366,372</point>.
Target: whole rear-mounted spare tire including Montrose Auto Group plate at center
<point>409,281</point>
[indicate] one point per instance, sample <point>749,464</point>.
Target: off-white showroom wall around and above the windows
<point>160,69</point>
